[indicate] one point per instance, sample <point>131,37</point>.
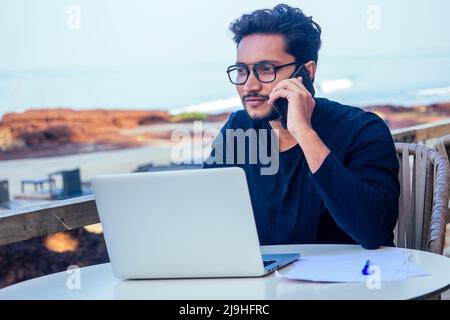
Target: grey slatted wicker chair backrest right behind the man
<point>424,179</point>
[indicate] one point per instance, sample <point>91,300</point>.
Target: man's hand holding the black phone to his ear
<point>300,105</point>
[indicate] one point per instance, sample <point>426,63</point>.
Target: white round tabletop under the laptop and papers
<point>98,282</point>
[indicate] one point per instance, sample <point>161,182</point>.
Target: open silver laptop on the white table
<point>181,224</point>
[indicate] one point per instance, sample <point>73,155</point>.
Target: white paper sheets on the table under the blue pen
<point>387,265</point>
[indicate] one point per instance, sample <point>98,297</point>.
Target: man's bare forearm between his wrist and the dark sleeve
<point>314,149</point>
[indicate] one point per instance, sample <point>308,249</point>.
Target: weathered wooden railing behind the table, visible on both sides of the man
<point>40,220</point>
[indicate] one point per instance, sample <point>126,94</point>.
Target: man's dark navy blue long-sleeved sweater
<point>352,198</point>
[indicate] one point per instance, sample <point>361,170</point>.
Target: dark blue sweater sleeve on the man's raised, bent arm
<point>362,196</point>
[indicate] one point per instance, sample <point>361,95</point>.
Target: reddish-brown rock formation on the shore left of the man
<point>36,130</point>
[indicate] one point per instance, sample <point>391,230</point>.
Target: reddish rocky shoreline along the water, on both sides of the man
<point>42,133</point>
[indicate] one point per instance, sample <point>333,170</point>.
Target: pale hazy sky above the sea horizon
<point>62,34</point>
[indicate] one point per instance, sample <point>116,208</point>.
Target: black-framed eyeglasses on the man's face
<point>265,72</point>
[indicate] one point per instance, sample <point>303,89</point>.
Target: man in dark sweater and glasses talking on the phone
<point>337,180</point>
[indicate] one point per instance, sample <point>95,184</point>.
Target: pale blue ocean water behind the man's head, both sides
<point>360,81</point>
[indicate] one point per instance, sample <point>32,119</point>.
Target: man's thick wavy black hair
<point>301,33</point>
